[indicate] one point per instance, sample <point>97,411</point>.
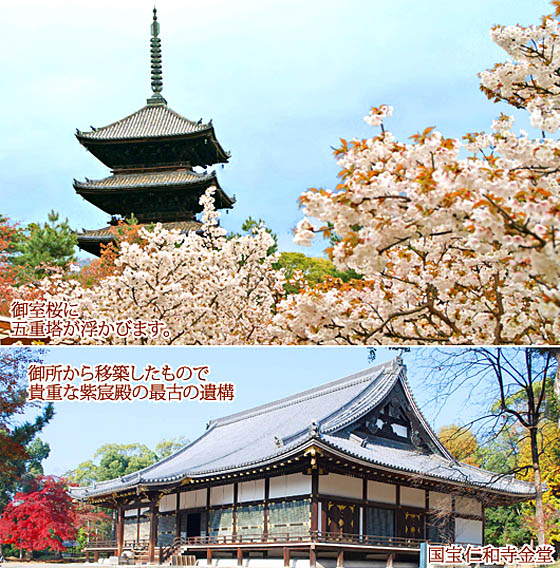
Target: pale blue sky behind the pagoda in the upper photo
<point>282,80</point>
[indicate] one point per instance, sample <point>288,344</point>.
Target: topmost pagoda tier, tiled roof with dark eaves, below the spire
<point>154,137</point>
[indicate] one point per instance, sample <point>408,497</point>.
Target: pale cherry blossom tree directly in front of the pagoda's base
<point>206,288</point>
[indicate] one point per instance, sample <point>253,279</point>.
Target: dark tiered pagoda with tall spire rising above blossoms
<point>151,153</point>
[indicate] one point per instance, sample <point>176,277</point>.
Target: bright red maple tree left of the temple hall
<point>40,519</point>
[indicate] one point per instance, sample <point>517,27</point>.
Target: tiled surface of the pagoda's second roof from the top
<point>152,179</point>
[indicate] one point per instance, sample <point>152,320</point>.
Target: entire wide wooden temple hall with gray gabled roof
<point>349,471</point>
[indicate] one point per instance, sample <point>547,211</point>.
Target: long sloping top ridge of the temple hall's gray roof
<point>345,382</point>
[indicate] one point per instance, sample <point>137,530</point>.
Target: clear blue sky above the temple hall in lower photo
<point>260,374</point>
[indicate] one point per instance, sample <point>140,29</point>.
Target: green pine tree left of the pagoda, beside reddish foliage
<point>39,244</point>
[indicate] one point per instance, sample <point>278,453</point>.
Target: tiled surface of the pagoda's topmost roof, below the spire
<point>148,122</point>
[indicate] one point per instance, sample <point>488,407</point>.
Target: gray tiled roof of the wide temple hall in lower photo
<point>272,431</point>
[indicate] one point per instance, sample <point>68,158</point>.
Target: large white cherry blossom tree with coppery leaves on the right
<point>457,240</point>
